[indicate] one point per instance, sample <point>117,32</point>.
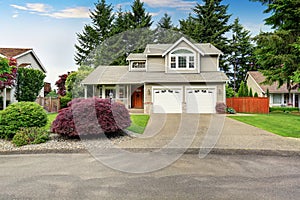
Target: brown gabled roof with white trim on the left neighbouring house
<point>19,52</point>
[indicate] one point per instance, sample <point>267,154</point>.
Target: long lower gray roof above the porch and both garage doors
<point>121,75</point>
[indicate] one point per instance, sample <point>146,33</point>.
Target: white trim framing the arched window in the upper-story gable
<point>187,60</point>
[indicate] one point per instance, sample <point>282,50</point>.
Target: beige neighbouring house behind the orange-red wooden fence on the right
<point>278,96</point>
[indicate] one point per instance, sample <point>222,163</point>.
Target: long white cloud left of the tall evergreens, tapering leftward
<point>78,12</point>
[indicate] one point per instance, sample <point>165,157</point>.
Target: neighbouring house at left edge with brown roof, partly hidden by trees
<point>25,58</point>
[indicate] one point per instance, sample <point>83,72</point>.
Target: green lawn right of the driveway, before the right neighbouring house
<point>284,124</point>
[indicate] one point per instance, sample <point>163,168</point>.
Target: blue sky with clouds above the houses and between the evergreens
<point>50,26</point>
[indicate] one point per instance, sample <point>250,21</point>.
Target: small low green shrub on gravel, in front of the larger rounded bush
<point>32,135</point>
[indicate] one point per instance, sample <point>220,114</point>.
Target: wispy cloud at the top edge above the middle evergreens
<point>181,4</point>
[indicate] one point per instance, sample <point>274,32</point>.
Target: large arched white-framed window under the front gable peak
<point>182,59</point>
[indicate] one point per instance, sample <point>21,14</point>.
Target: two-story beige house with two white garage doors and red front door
<point>167,78</point>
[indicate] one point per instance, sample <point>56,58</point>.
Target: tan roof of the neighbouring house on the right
<point>259,78</point>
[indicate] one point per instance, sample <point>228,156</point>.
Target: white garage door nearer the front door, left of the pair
<point>167,101</point>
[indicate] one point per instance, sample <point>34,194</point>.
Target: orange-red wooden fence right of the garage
<point>249,104</point>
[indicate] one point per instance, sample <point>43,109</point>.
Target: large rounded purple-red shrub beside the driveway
<point>92,116</point>
